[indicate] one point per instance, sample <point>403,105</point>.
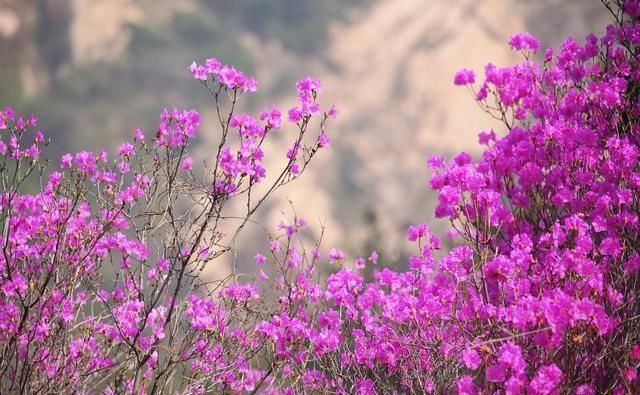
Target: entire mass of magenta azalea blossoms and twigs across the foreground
<point>101,286</point>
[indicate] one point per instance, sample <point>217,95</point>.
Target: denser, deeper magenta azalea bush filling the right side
<point>542,295</point>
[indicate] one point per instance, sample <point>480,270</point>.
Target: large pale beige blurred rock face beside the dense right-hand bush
<point>390,72</point>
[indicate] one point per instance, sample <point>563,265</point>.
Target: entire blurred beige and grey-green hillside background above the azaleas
<point>95,70</point>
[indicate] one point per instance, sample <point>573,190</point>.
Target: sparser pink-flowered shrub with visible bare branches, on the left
<point>100,271</point>
